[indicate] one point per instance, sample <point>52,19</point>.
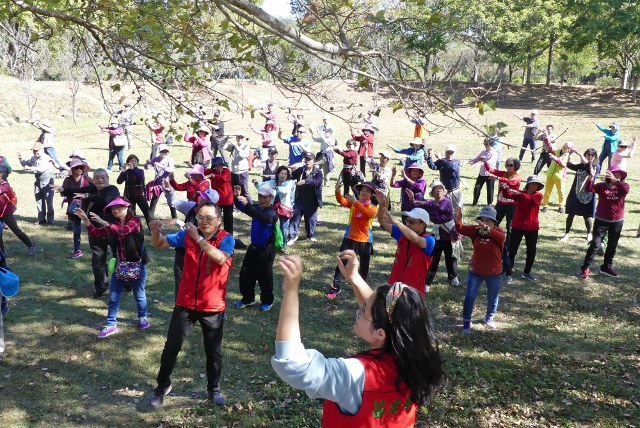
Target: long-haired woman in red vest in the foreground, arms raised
<point>380,387</point>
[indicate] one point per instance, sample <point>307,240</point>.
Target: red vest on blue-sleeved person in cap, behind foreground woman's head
<point>410,266</point>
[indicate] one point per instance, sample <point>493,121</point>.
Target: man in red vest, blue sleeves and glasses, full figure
<point>201,295</point>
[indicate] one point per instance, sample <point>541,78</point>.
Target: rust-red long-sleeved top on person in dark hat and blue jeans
<point>487,250</point>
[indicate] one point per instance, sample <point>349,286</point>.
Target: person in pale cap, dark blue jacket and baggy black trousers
<point>257,265</point>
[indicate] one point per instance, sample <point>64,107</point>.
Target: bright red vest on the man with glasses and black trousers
<point>203,286</point>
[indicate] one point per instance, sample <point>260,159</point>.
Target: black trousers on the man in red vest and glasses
<point>182,320</point>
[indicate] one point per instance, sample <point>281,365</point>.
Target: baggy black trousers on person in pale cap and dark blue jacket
<point>257,266</point>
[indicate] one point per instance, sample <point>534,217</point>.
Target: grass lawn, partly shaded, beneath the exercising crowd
<point>566,352</point>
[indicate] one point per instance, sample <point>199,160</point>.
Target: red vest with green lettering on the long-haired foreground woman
<point>382,405</point>
